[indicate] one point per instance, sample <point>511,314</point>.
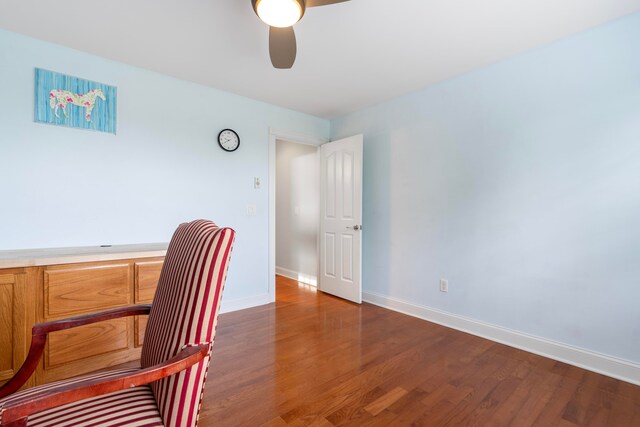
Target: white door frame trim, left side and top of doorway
<point>274,135</point>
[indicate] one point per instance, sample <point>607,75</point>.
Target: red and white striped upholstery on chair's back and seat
<point>184,313</point>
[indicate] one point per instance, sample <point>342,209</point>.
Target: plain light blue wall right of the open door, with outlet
<point>520,183</point>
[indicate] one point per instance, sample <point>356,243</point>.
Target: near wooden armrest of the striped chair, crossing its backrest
<point>16,411</point>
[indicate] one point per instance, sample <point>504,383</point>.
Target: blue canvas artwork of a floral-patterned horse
<point>70,101</point>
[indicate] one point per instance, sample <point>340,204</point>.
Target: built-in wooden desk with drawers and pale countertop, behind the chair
<point>48,284</point>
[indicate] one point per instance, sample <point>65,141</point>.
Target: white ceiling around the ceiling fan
<point>350,55</point>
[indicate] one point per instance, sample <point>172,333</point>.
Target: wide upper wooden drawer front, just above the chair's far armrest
<point>79,290</point>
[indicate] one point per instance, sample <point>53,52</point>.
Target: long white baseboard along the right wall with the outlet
<point>603,364</point>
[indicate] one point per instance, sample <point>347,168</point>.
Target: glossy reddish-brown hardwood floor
<point>315,360</point>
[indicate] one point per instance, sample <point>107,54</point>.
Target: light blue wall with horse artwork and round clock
<point>70,187</point>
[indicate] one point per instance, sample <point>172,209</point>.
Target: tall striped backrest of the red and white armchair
<point>184,312</point>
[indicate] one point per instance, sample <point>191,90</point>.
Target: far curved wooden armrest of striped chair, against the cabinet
<point>39,338</point>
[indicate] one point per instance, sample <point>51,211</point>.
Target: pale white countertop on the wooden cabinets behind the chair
<point>52,256</point>
